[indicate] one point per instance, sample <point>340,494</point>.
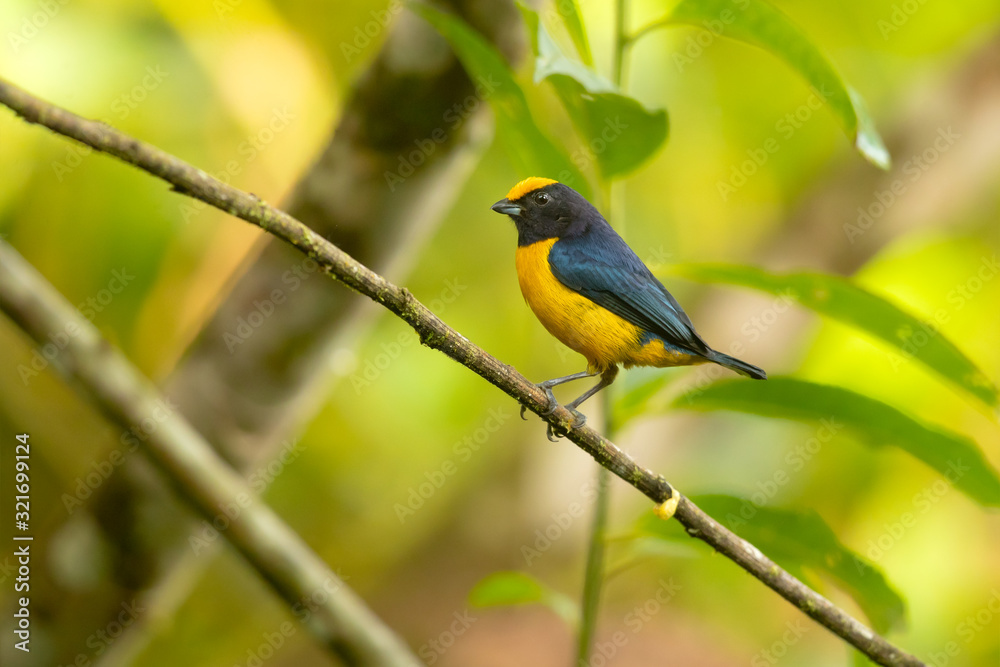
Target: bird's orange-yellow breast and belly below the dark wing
<point>605,339</point>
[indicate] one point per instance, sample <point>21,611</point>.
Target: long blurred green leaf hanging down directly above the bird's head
<point>533,152</point>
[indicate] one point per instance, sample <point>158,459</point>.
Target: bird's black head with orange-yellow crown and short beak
<point>551,211</point>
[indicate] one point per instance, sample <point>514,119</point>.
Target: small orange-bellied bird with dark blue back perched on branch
<point>591,291</point>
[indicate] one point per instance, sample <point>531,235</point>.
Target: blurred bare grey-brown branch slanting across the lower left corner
<point>343,623</point>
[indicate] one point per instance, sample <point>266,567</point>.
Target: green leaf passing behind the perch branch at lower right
<point>799,539</point>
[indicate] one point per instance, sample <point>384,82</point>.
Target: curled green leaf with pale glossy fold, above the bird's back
<point>619,131</point>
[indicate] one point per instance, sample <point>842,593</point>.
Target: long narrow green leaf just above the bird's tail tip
<point>846,302</point>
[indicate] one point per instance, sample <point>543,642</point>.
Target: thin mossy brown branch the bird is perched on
<point>436,334</point>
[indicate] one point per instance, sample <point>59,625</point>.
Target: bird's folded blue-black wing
<point>599,265</point>
